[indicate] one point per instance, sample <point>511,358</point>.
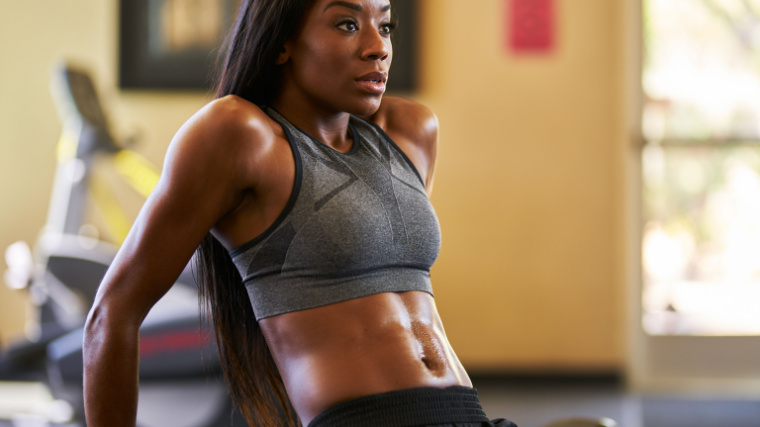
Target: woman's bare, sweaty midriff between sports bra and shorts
<point>374,344</point>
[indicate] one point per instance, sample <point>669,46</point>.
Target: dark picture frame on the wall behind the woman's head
<point>149,59</point>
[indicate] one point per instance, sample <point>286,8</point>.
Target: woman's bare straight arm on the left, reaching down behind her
<point>202,180</point>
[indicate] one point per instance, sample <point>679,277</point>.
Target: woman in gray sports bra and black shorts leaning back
<point>310,189</point>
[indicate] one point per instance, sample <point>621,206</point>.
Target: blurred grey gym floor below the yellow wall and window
<point>533,401</point>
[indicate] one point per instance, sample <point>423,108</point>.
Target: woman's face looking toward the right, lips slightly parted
<point>340,58</point>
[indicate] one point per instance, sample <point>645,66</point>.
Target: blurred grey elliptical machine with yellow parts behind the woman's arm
<point>180,381</point>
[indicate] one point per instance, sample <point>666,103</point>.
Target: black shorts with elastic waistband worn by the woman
<point>456,406</point>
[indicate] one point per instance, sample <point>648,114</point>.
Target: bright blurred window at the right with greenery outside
<point>701,167</point>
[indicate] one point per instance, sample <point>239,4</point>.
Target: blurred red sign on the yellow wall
<point>531,27</point>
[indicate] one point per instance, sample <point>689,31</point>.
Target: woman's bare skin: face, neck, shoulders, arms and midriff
<point>230,170</point>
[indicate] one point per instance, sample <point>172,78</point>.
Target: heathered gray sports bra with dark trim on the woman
<point>356,224</point>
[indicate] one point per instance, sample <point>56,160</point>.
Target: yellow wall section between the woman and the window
<point>526,188</point>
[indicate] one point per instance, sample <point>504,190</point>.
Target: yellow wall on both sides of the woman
<point>527,188</point>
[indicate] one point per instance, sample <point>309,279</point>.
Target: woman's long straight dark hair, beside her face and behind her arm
<point>248,70</point>
